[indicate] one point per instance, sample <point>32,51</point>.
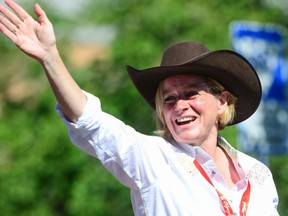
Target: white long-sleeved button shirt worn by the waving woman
<point>161,174</point>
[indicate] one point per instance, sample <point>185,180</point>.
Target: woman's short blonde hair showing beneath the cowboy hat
<point>213,87</point>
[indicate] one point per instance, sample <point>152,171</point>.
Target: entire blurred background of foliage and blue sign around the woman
<point>43,174</point>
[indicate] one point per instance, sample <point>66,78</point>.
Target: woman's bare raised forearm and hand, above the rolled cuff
<point>37,39</point>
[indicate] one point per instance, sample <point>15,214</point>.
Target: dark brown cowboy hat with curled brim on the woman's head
<point>229,68</point>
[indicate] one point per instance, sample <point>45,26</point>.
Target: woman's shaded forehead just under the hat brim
<point>183,81</point>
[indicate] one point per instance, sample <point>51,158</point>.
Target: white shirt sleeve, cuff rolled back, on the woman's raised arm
<point>126,153</point>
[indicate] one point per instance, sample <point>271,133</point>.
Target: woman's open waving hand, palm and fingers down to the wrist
<point>35,38</point>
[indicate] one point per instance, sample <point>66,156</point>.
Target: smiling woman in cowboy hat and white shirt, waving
<point>187,169</point>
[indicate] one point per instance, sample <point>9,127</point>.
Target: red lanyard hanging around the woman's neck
<point>226,206</point>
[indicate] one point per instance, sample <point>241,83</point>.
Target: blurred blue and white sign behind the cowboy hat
<point>266,132</point>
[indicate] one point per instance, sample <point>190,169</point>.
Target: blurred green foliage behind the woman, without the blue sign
<point>40,172</point>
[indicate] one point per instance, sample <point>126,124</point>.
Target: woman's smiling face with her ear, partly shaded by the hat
<point>190,111</point>
